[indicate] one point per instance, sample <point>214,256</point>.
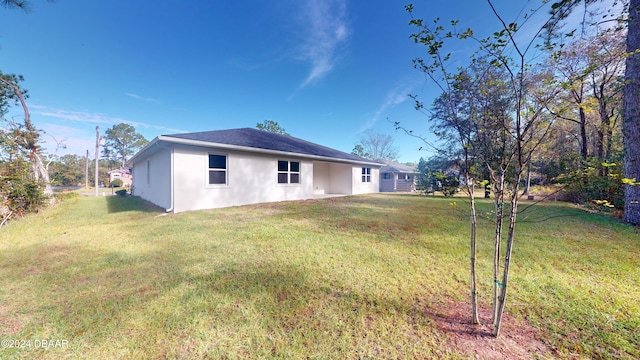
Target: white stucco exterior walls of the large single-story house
<point>251,179</point>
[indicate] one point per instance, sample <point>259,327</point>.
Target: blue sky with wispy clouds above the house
<point>324,70</point>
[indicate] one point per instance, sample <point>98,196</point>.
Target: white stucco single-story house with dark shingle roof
<point>214,169</point>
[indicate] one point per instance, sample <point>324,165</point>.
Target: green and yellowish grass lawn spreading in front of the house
<point>351,277</point>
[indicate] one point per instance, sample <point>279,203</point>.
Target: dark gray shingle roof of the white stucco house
<point>259,139</point>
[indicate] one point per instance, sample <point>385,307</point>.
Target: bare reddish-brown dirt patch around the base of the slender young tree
<point>518,340</point>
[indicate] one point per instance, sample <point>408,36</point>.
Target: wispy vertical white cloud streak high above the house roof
<point>327,30</point>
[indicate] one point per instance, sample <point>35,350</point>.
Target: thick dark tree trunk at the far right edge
<point>631,124</point>
